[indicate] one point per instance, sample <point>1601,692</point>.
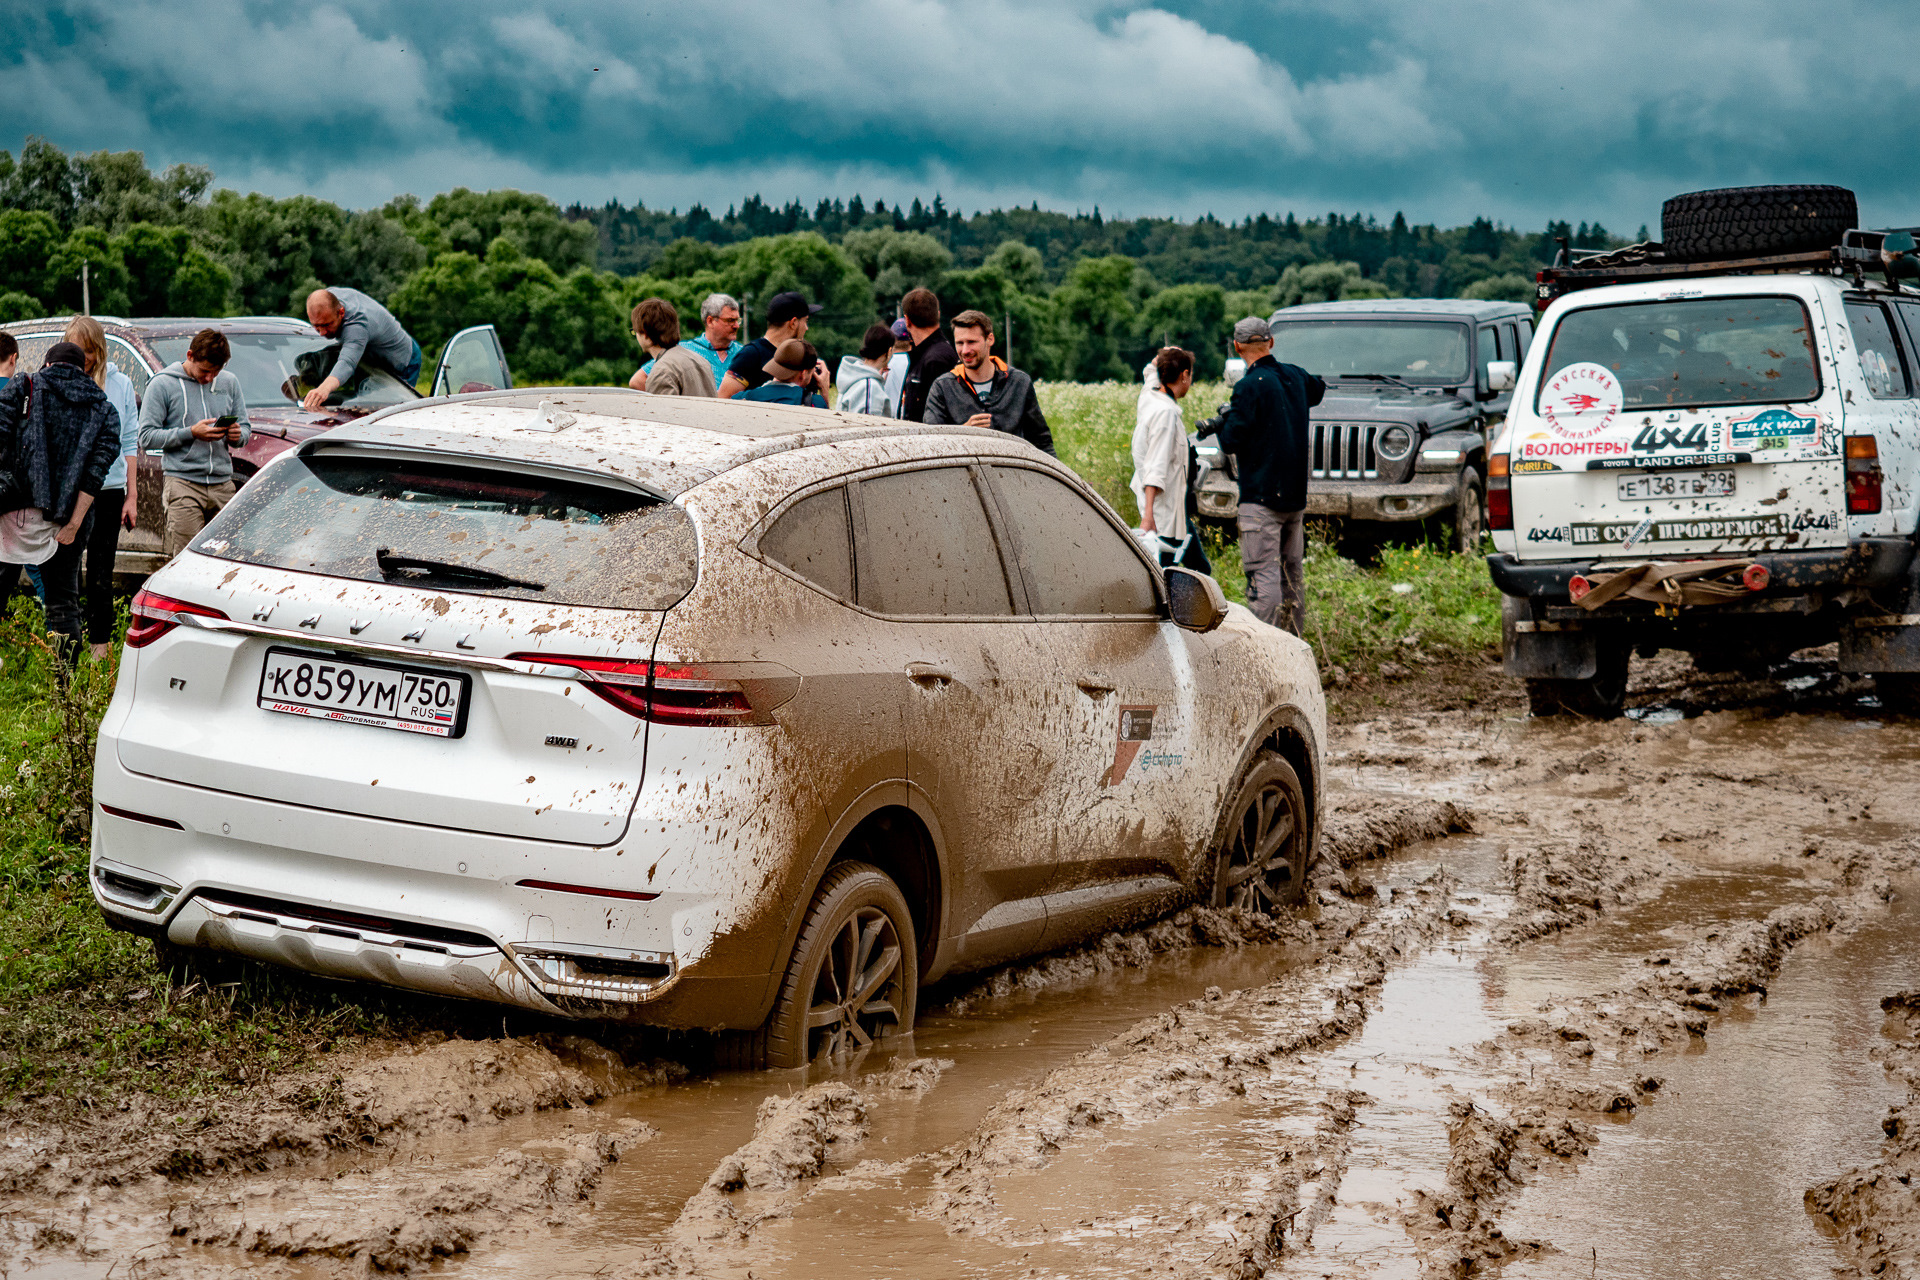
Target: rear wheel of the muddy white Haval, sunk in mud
<point>853,978</point>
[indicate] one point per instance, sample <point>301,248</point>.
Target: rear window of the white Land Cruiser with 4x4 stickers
<point>1694,352</point>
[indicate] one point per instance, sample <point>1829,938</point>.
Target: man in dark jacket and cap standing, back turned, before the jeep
<point>1266,429</point>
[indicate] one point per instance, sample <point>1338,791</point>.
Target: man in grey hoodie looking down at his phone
<point>183,417</point>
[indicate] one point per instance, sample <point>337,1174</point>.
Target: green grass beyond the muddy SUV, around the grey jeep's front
<point>1358,621</point>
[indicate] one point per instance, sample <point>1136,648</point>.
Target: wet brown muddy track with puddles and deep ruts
<point>1570,1001</point>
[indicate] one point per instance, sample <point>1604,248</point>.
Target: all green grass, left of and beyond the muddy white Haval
<point>85,1012</point>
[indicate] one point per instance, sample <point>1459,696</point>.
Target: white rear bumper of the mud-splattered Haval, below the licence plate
<point>421,909</point>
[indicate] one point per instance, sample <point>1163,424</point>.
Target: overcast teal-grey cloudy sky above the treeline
<point>1520,110</point>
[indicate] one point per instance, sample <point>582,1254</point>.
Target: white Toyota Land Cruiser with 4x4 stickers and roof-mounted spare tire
<point>1716,446</point>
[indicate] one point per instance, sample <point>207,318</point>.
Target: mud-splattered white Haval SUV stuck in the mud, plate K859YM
<point>690,713</point>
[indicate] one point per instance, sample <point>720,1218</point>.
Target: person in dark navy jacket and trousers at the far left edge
<point>59,440</point>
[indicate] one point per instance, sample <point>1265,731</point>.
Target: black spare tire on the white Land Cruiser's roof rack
<point>1756,222</point>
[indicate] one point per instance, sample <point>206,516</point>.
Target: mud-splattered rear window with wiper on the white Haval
<point>460,529</point>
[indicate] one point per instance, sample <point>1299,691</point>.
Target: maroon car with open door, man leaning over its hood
<point>277,364</point>
